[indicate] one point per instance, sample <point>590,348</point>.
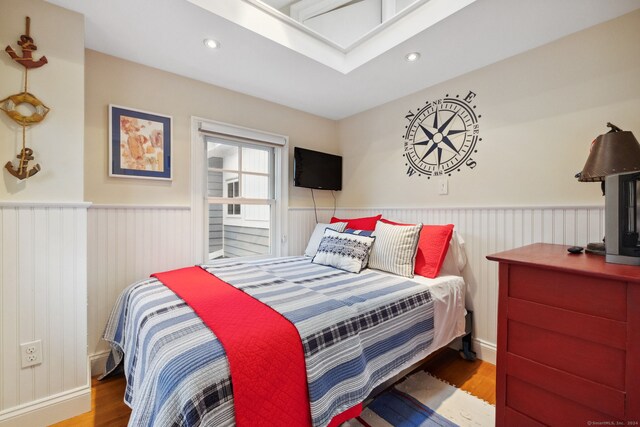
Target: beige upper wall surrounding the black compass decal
<point>540,111</point>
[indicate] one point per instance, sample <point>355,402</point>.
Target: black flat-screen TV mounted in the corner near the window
<point>313,169</point>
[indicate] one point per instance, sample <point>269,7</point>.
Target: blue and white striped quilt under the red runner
<point>357,330</point>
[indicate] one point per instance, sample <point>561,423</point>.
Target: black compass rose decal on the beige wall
<point>441,137</point>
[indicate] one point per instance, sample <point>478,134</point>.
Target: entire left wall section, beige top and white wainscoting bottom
<point>43,248</point>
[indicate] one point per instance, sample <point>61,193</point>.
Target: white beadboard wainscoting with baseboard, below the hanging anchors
<point>43,296</point>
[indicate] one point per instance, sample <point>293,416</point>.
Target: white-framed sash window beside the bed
<point>258,161</point>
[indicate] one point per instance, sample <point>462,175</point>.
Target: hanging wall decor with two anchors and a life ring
<point>10,104</point>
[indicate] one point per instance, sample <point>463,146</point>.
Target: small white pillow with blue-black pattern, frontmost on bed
<point>347,252</point>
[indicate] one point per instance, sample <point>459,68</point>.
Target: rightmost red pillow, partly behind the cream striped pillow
<point>432,248</point>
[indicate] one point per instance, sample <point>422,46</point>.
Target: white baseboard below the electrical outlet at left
<point>49,410</point>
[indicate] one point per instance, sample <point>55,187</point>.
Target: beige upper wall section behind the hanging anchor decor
<point>57,142</point>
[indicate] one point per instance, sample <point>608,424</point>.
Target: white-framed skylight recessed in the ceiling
<point>341,34</point>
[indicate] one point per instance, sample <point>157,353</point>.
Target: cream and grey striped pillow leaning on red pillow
<point>395,248</point>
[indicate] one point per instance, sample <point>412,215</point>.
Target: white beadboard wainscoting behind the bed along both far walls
<point>127,243</point>
